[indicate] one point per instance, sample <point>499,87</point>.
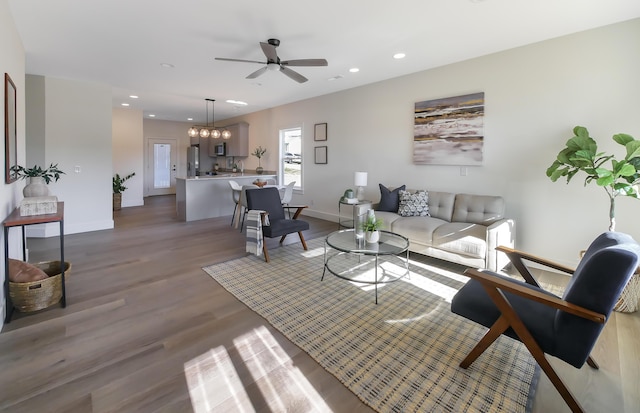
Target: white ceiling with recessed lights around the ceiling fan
<point>123,43</point>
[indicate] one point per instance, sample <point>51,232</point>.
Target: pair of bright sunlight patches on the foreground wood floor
<point>215,384</point>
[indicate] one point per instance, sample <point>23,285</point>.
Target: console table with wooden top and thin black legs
<point>16,220</point>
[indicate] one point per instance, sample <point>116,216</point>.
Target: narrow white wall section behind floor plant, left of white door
<point>128,153</point>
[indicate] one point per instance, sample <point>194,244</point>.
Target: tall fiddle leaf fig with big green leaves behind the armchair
<point>617,177</point>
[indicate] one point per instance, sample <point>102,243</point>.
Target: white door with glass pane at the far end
<point>162,157</point>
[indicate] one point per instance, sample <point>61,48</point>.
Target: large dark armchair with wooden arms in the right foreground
<point>566,327</point>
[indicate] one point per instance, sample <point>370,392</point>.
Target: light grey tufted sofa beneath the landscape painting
<point>461,228</point>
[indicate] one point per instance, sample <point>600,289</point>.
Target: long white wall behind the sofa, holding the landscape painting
<point>534,96</point>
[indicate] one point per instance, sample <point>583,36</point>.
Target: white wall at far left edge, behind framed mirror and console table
<point>12,62</point>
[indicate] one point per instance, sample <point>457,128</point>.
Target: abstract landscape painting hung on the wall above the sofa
<point>449,131</point>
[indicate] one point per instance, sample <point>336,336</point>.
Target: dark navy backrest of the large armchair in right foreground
<point>604,271</point>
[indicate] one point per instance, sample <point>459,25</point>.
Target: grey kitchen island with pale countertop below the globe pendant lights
<point>210,196</point>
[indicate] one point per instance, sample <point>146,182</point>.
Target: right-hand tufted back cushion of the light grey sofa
<point>478,209</point>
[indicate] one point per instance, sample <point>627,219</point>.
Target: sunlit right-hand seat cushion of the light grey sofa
<point>462,238</point>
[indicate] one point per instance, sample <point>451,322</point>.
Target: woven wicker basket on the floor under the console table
<point>36,295</point>
